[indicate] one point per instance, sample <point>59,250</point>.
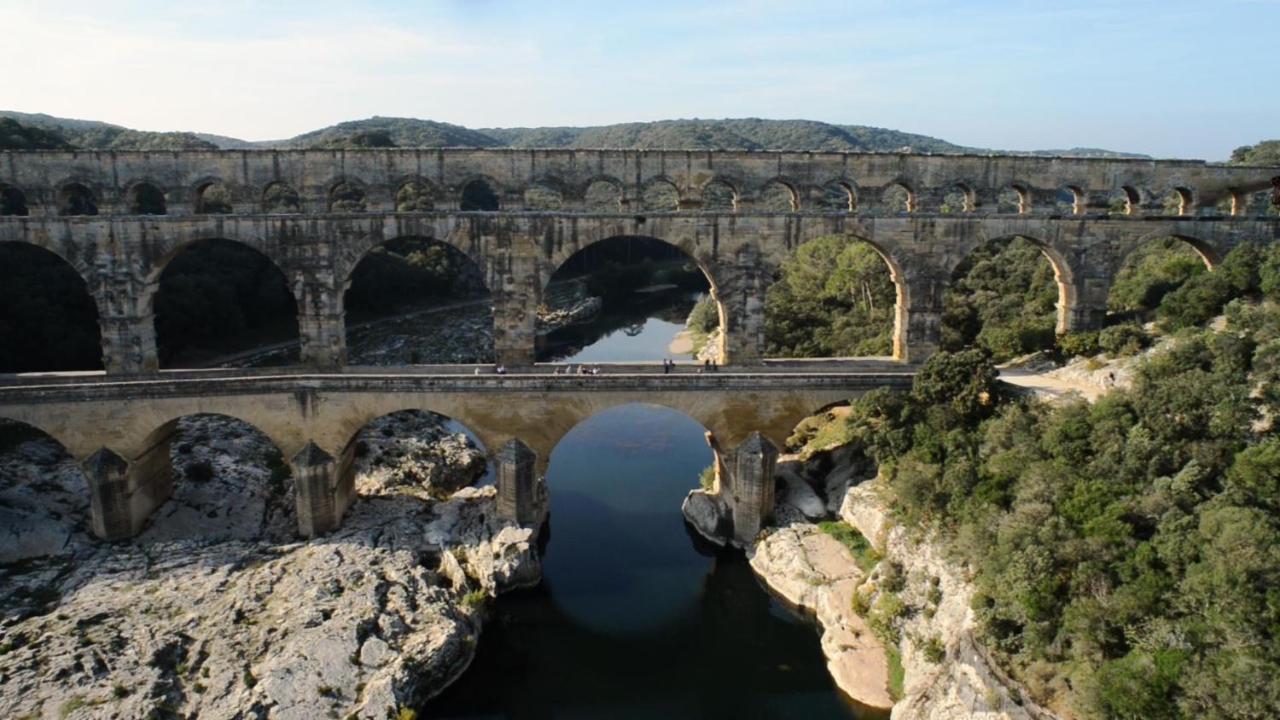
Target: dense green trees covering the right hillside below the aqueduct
<point>1126,552</point>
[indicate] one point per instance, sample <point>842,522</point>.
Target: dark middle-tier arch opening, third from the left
<point>395,295</point>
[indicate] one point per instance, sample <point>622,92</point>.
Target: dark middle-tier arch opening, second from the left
<point>216,299</point>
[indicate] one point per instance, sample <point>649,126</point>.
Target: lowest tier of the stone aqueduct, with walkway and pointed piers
<point>122,431</point>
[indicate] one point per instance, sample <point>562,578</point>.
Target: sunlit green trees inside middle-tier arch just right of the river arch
<point>835,298</point>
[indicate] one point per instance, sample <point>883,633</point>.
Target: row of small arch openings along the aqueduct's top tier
<point>606,195</point>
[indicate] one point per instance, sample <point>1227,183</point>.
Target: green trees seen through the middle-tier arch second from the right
<point>1004,299</point>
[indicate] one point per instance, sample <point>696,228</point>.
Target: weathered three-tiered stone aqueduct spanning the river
<point>118,218</point>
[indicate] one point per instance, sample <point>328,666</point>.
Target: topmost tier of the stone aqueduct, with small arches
<point>632,181</point>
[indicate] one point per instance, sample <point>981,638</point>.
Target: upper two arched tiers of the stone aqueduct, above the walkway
<point>340,204</point>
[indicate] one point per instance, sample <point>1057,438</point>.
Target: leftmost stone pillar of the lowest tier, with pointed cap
<point>124,494</point>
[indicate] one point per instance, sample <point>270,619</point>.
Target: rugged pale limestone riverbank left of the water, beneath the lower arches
<point>217,610</point>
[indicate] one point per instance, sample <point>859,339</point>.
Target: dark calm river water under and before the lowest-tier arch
<point>636,618</point>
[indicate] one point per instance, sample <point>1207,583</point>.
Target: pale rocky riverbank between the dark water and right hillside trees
<point>898,630</point>
